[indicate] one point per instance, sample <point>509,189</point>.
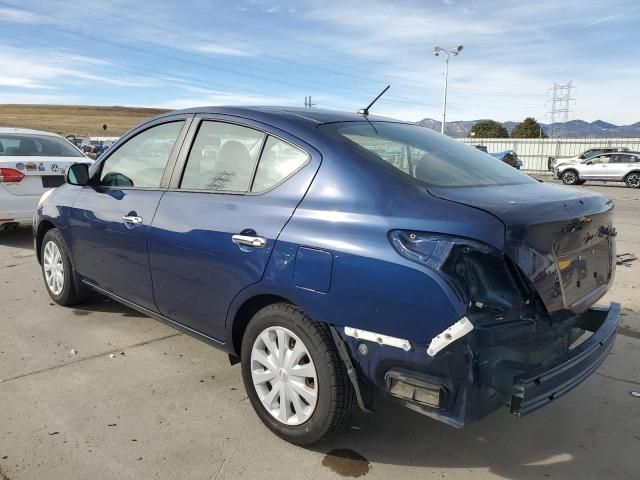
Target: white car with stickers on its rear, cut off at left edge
<point>31,162</point>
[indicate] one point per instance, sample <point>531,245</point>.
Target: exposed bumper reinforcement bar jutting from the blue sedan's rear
<point>538,387</point>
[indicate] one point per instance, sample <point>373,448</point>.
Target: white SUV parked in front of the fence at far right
<point>613,167</point>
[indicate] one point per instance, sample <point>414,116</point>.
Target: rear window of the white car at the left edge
<point>36,145</point>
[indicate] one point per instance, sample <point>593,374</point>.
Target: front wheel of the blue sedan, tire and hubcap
<point>57,270</point>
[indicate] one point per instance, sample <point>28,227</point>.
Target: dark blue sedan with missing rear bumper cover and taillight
<point>339,258</point>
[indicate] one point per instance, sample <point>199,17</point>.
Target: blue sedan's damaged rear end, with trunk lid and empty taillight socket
<point>530,333</point>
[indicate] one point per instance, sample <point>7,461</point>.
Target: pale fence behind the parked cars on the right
<point>535,152</point>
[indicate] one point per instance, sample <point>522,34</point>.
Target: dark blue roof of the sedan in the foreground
<point>292,114</point>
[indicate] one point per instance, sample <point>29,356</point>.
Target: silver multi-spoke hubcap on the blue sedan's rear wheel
<point>284,376</point>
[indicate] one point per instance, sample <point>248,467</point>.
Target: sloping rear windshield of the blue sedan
<point>423,154</point>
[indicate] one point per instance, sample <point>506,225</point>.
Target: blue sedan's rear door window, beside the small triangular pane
<point>223,158</point>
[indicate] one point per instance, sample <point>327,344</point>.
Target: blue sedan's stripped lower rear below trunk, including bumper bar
<point>510,365</point>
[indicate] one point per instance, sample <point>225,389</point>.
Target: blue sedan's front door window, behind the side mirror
<point>141,160</point>
